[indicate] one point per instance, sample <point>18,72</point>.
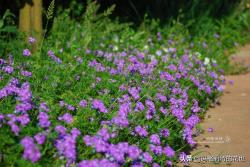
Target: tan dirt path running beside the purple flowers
<point>228,123</point>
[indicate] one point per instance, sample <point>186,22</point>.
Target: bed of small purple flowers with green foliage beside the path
<point>106,107</point>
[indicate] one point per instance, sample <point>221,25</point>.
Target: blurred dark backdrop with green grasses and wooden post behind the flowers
<point>55,18</point>
